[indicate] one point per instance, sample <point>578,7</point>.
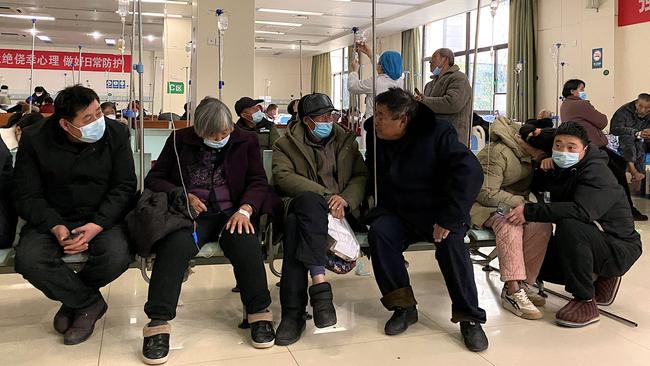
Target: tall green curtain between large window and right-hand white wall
<point>521,50</point>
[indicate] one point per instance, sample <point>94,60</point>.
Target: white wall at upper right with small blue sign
<point>625,53</point>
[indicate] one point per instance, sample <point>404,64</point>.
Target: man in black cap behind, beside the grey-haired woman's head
<point>251,118</point>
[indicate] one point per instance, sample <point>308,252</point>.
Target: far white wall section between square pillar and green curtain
<point>284,76</point>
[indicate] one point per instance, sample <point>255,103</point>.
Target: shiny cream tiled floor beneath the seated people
<point>205,331</point>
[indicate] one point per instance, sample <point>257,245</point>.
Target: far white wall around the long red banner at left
<point>54,80</point>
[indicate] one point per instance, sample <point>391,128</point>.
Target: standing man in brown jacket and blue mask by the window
<point>449,94</point>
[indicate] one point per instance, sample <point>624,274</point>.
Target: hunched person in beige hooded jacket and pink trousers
<point>508,168</point>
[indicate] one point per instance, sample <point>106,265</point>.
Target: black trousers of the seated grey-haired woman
<point>174,252</point>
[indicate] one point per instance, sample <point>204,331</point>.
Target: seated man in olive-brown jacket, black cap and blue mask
<point>317,166</point>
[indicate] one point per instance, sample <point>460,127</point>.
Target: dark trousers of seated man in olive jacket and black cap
<point>305,243</point>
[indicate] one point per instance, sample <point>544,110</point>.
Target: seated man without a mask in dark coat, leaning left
<point>427,182</point>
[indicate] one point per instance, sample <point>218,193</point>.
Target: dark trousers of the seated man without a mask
<point>389,237</point>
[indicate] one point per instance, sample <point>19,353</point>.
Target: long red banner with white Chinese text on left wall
<point>55,60</point>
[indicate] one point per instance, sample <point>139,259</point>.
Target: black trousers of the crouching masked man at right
<point>578,250</point>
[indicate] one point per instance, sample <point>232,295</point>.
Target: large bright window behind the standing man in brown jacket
<point>457,33</point>
